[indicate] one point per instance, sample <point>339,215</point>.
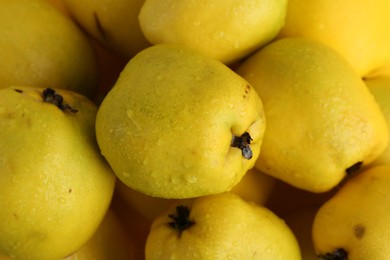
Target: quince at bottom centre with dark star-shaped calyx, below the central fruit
<point>222,226</point>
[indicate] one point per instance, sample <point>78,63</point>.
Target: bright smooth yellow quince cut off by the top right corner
<point>355,28</point>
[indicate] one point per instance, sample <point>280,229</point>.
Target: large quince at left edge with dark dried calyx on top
<point>55,187</point>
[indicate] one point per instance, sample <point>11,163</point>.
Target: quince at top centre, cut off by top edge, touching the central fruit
<point>226,30</point>
